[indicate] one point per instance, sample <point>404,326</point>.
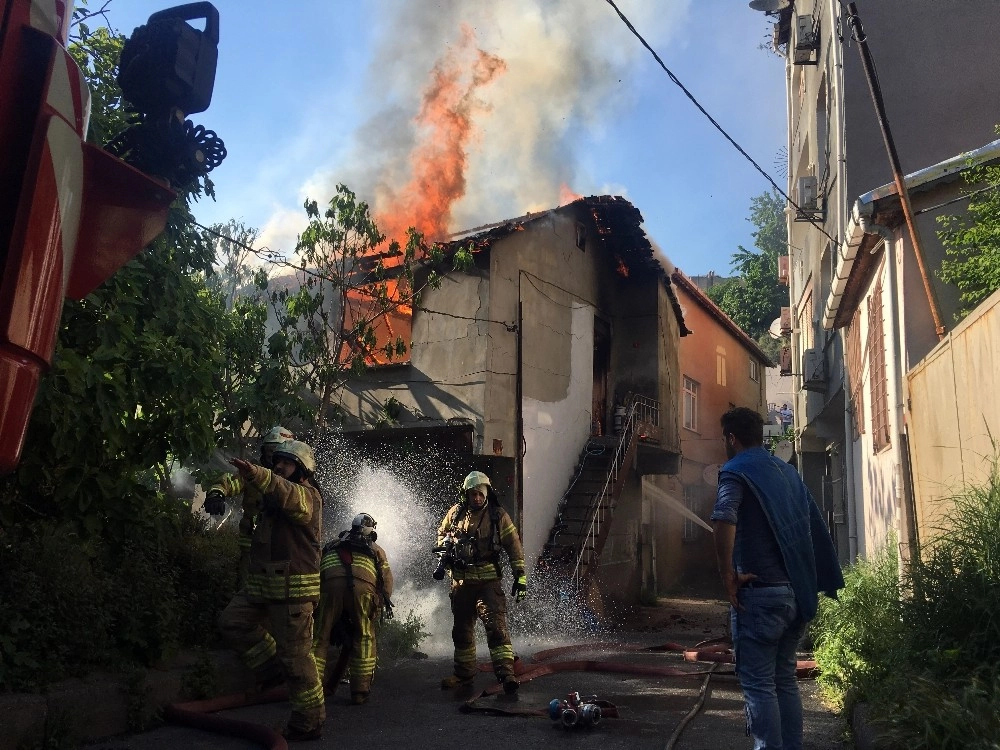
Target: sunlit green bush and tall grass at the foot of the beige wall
<point>923,648</point>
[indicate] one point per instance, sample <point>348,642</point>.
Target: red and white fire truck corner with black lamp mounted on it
<point>72,213</point>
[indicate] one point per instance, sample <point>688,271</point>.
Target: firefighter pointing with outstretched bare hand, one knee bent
<point>270,620</point>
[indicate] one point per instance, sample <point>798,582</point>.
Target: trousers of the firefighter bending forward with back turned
<point>360,606</point>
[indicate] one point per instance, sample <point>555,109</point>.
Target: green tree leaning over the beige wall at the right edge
<point>972,242</point>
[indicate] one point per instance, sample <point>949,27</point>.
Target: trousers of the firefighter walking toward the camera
<point>482,600</point>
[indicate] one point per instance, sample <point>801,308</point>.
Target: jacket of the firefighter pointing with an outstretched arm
<point>285,550</point>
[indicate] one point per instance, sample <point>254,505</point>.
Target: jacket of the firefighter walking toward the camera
<point>486,531</point>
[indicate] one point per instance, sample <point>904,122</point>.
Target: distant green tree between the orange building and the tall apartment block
<point>754,298</point>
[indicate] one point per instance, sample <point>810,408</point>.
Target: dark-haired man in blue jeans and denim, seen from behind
<point>775,555</point>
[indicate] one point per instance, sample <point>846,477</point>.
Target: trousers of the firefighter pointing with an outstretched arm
<point>264,632</point>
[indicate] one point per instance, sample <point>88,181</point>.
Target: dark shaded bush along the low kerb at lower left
<point>68,607</point>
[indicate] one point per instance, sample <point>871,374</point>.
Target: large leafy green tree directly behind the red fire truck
<point>131,384</point>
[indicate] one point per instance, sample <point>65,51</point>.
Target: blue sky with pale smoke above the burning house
<point>310,93</point>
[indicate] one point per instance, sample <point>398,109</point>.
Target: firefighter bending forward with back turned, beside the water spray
<point>356,586</point>
